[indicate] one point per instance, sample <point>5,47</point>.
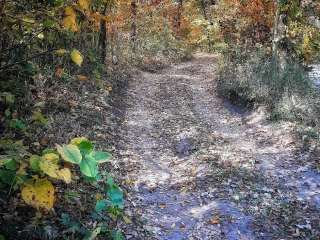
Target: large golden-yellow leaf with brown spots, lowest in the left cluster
<point>39,195</point>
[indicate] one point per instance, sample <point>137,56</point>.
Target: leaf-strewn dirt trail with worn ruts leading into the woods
<point>199,168</point>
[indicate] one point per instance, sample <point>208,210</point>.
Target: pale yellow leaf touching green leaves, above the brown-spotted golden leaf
<point>49,165</point>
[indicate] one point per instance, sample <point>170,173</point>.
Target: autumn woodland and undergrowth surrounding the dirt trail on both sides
<point>62,62</point>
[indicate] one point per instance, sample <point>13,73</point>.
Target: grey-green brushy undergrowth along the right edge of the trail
<point>256,78</point>
